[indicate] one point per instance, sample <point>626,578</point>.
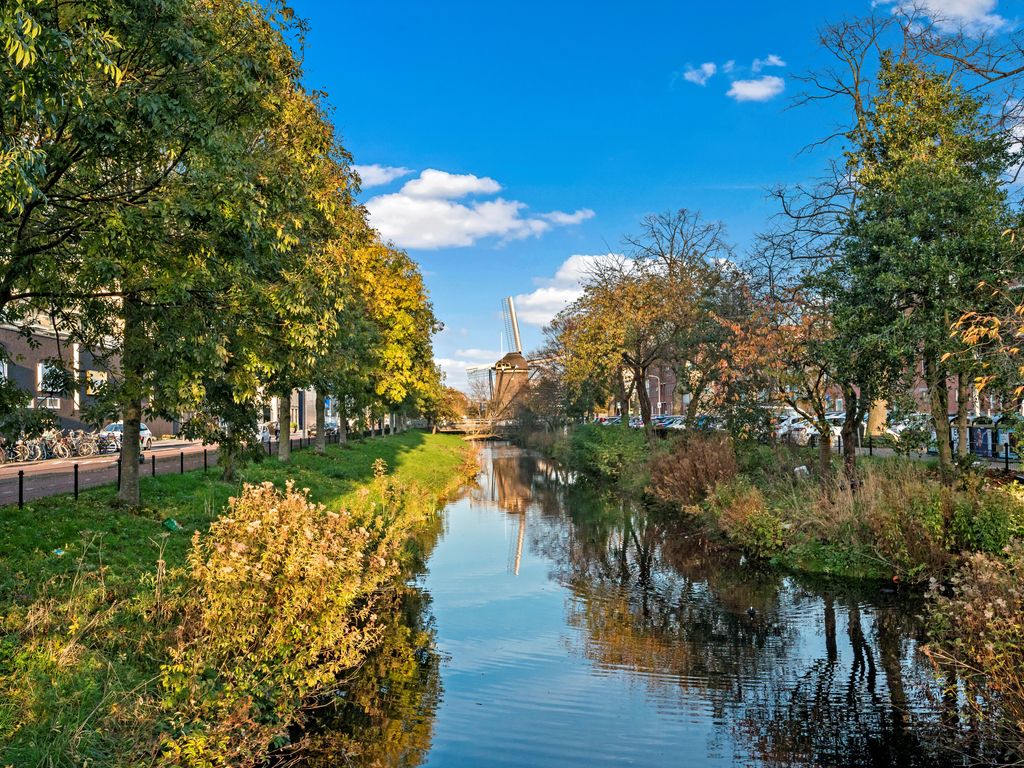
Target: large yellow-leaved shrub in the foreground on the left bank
<point>284,603</point>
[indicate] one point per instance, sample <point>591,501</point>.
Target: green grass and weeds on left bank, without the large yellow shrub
<point>75,641</point>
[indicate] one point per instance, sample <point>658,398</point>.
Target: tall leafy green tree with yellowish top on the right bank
<point>928,224</point>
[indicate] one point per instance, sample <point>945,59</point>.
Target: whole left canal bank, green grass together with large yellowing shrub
<point>125,645</point>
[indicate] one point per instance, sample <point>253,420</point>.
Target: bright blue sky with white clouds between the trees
<point>547,131</point>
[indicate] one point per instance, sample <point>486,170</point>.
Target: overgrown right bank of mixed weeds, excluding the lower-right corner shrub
<point>899,524</point>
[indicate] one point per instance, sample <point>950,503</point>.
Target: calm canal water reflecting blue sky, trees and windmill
<point>549,626</point>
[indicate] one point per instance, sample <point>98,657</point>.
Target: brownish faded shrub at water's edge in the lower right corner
<point>979,633</point>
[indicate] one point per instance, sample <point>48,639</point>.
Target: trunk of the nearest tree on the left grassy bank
<point>132,409</point>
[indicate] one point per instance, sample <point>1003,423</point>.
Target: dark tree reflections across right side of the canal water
<point>796,673</point>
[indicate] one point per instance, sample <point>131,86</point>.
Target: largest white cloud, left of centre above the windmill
<point>424,214</point>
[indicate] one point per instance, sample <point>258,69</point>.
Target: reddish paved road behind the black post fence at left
<point>58,476</point>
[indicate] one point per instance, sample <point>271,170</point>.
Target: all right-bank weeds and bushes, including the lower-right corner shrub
<point>964,544</point>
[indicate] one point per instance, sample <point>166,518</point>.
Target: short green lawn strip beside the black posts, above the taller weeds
<point>129,542</point>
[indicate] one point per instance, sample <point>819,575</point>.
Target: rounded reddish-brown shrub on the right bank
<point>693,467</point>
